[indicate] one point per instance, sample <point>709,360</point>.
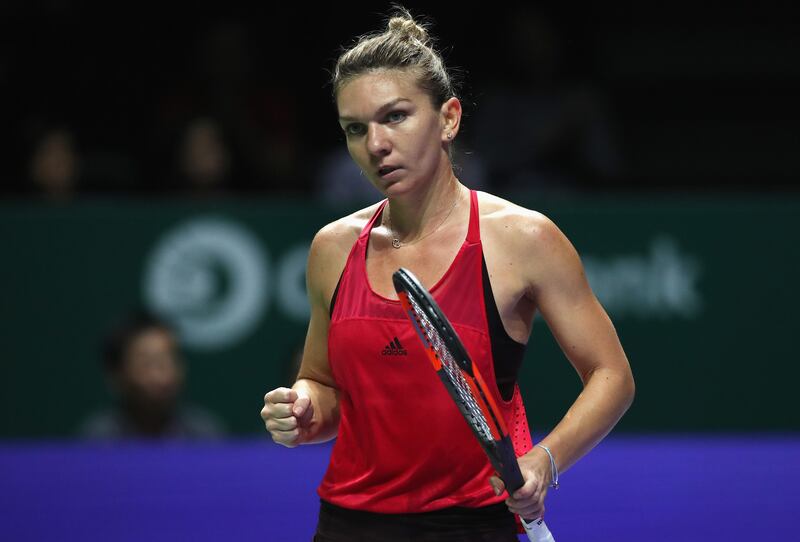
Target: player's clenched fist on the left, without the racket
<point>287,416</point>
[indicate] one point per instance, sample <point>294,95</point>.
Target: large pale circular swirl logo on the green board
<point>209,276</point>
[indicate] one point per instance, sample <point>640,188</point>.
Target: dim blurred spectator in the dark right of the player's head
<point>538,127</point>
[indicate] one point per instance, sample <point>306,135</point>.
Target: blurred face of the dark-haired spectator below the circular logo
<point>152,373</point>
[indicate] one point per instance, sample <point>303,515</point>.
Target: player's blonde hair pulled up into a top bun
<point>403,45</point>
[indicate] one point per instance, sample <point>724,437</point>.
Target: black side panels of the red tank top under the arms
<point>506,352</point>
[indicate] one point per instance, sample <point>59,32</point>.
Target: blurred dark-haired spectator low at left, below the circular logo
<point>146,373</point>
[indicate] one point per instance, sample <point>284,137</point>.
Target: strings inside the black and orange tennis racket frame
<point>453,372</point>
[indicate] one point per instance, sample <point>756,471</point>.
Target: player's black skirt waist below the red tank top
<point>492,523</point>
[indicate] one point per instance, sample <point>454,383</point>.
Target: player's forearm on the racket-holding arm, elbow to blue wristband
<point>606,396</point>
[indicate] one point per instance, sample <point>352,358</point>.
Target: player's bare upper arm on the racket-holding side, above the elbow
<point>561,292</point>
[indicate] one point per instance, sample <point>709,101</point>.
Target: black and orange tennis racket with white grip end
<point>465,385</point>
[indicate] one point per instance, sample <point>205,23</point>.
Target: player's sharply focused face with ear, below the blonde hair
<point>389,121</point>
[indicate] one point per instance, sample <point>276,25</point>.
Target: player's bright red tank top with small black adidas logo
<point>402,444</point>
